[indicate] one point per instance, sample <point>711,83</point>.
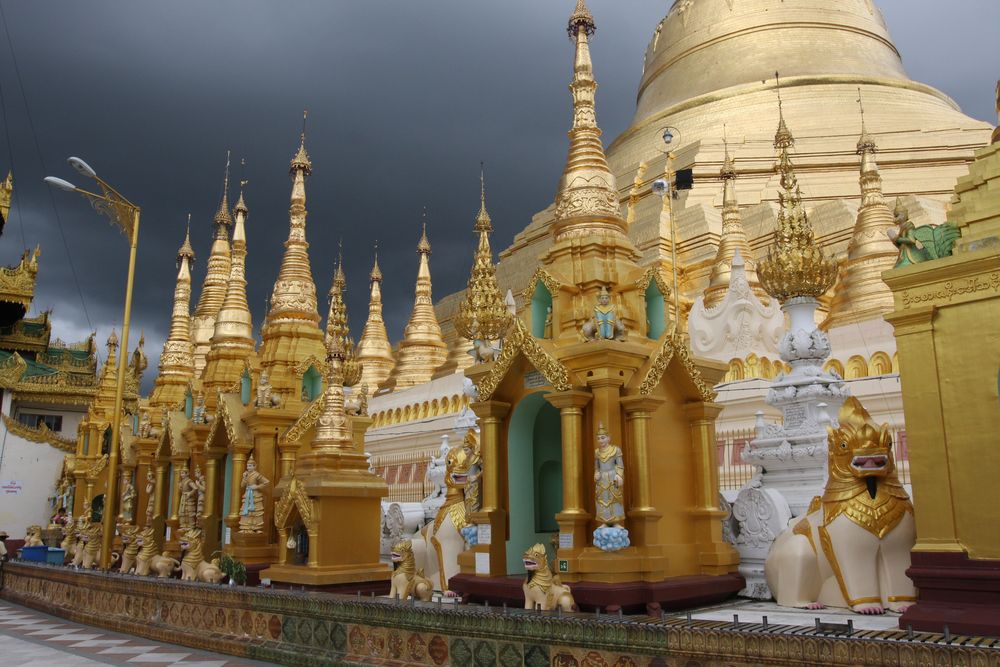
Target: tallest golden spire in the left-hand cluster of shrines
<point>291,330</point>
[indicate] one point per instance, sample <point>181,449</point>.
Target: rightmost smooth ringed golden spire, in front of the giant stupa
<point>861,294</point>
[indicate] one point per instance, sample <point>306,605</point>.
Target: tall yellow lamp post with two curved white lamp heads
<point>123,213</point>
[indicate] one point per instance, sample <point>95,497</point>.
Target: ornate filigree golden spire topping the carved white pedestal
<point>795,267</point>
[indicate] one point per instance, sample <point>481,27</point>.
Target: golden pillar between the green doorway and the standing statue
<point>574,518</point>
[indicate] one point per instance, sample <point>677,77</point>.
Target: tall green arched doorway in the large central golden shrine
<point>534,471</point>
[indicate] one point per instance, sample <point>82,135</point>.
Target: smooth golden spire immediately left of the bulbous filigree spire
<point>422,350</point>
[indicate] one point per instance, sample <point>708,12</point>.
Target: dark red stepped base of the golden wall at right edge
<point>955,591</point>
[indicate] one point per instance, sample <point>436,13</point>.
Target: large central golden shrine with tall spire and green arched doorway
<point>596,356</point>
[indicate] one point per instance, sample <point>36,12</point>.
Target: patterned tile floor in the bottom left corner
<point>29,638</point>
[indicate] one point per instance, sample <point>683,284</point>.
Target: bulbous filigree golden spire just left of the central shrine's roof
<point>482,314</point>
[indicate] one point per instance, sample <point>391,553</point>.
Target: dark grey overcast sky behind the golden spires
<point>405,98</point>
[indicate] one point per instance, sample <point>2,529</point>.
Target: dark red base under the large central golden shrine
<point>648,597</point>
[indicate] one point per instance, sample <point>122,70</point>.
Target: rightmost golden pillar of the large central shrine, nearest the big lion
<point>714,555</point>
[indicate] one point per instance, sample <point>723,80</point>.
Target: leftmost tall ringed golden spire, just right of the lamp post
<point>177,358</point>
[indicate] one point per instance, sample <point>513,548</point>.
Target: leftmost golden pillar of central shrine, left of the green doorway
<point>494,452</point>
